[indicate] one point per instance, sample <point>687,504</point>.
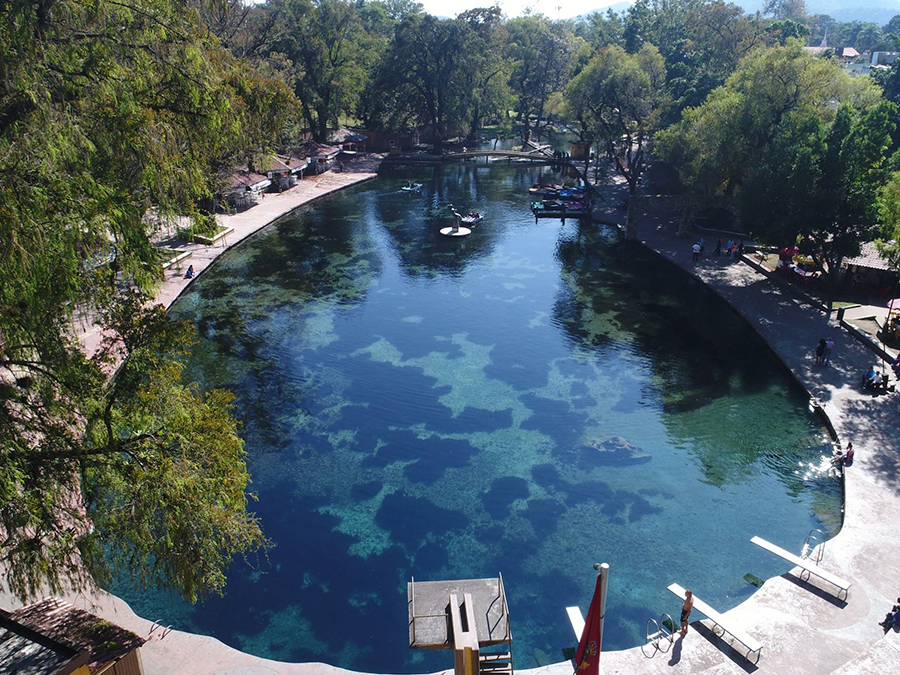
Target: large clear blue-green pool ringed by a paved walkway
<point>529,400</point>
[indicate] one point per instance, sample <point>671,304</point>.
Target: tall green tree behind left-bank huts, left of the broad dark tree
<point>326,50</point>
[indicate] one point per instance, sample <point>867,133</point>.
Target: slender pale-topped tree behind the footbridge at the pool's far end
<point>540,53</point>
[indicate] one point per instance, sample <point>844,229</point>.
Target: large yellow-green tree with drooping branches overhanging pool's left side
<point>110,112</point>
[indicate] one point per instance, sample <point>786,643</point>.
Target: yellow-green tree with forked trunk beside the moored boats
<point>619,97</point>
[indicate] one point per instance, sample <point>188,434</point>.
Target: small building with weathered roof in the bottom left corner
<point>52,637</point>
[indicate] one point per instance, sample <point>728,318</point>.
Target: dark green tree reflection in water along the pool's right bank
<point>698,349</point>
